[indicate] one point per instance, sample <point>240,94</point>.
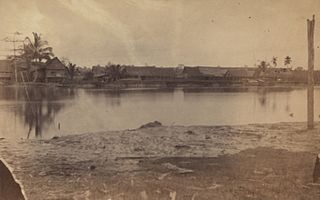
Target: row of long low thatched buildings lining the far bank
<point>207,74</point>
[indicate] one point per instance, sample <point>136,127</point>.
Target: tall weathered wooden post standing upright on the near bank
<point>310,27</point>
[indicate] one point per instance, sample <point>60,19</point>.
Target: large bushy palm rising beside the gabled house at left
<point>37,51</point>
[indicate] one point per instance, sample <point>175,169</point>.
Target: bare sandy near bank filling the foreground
<point>265,161</point>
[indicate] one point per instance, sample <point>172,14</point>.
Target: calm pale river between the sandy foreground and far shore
<point>39,112</point>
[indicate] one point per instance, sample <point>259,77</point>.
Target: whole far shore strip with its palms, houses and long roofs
<point>35,62</point>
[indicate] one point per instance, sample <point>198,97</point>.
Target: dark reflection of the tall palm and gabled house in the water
<point>39,105</point>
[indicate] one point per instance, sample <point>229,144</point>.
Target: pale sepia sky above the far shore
<point>166,32</point>
